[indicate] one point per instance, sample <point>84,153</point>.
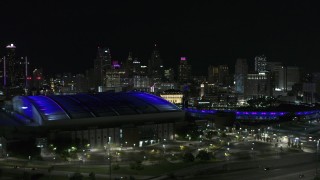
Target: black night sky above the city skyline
<point>63,36</point>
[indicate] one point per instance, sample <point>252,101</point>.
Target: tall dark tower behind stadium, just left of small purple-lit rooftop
<point>102,64</point>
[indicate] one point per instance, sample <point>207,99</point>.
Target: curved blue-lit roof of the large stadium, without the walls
<point>64,107</point>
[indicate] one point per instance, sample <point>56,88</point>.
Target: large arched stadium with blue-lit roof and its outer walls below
<point>102,117</point>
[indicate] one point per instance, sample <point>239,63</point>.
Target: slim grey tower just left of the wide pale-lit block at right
<point>241,72</point>
